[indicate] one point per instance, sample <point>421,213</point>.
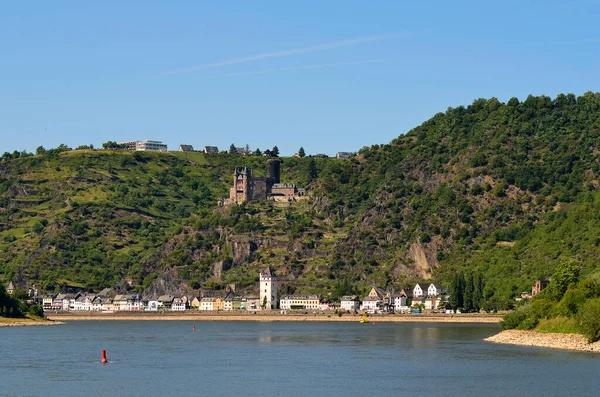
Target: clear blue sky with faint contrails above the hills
<point>327,75</point>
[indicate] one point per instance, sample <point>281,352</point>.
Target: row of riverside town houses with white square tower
<point>423,297</point>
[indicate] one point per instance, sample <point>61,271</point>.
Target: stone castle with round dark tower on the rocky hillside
<point>247,187</point>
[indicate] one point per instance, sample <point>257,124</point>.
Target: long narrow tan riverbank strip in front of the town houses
<point>228,316</point>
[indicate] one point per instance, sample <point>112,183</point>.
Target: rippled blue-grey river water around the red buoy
<point>168,358</point>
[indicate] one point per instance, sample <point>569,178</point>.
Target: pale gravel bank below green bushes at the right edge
<point>546,340</point>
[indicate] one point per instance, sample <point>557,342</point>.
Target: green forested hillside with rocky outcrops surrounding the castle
<point>508,190</point>
